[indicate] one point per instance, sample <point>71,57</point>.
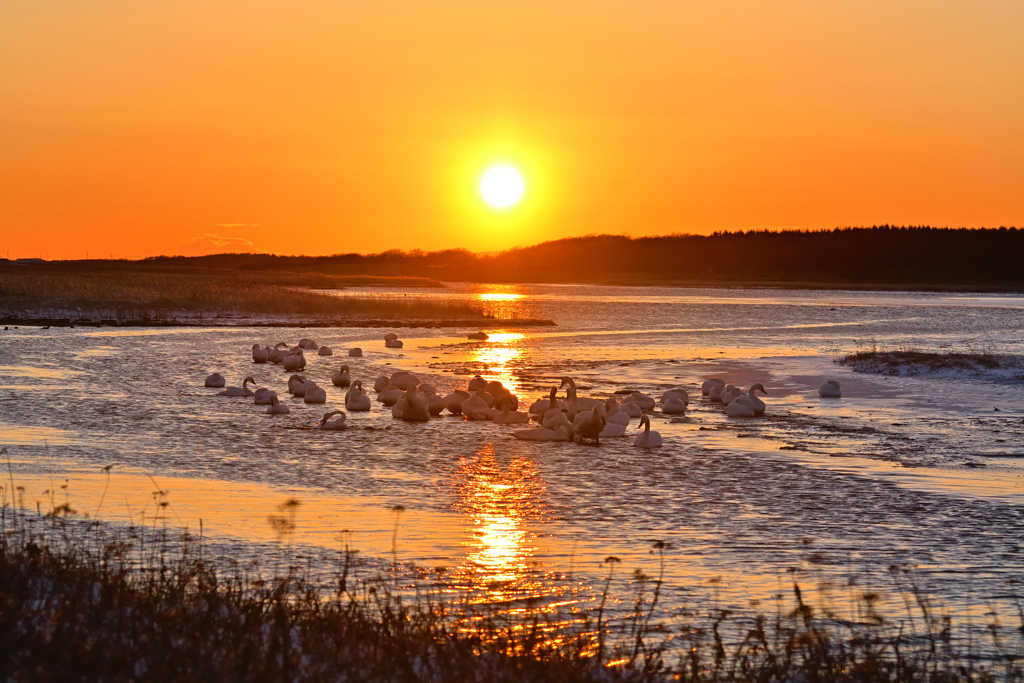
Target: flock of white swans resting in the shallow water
<point>570,419</point>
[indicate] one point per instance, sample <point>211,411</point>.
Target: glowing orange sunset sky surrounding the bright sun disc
<point>326,126</point>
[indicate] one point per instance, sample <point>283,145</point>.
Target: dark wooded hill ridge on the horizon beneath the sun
<point>864,258</point>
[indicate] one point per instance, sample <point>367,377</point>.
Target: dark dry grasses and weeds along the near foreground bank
<point>83,602</point>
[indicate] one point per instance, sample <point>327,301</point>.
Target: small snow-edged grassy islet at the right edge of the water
<point>870,357</point>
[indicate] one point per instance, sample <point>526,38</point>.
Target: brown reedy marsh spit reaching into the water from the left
<point>149,294</point>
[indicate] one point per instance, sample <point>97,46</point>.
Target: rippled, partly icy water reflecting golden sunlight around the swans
<point>901,471</point>
